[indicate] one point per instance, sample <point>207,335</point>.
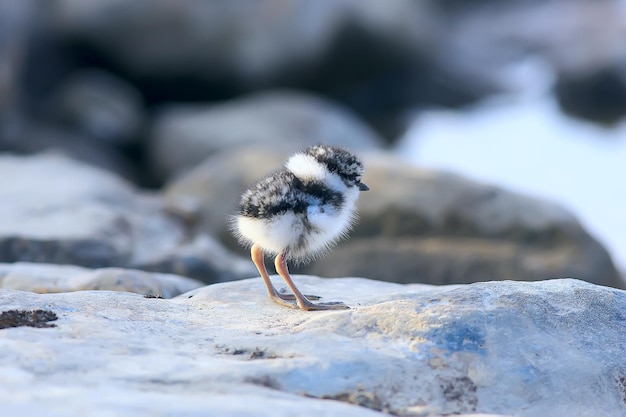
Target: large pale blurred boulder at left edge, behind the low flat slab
<point>60,211</point>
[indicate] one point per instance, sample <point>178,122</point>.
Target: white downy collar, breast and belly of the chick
<point>326,223</point>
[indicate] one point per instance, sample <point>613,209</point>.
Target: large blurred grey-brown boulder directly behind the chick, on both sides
<point>432,226</point>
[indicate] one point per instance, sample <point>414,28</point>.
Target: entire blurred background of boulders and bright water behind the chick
<point>178,105</point>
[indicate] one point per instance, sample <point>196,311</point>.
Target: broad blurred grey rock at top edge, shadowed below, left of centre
<point>250,44</point>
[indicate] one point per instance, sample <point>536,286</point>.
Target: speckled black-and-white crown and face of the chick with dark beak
<point>340,162</point>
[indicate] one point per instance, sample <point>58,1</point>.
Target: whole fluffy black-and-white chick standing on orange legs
<point>299,212</point>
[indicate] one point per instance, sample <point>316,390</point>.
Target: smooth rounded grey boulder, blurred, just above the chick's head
<point>183,137</point>
